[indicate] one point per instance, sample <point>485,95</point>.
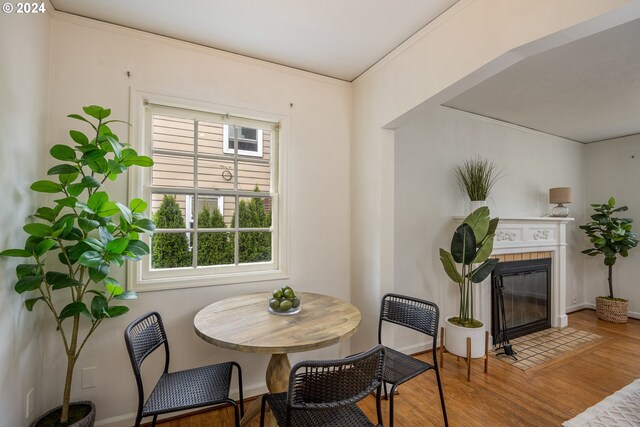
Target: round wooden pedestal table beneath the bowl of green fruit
<point>243,323</point>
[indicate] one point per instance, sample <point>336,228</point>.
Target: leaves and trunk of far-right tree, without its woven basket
<point>610,235</point>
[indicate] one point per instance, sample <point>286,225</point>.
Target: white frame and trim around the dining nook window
<point>140,276</point>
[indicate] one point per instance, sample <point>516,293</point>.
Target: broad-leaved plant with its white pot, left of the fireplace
<point>468,263</point>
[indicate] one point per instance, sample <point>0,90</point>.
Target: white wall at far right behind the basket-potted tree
<point>613,169</point>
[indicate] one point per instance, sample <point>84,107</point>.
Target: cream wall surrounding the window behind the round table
<point>89,65</point>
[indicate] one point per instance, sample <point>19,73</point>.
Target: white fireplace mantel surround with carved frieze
<point>531,234</point>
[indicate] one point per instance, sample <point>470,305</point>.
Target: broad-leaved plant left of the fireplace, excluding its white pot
<point>471,246</point>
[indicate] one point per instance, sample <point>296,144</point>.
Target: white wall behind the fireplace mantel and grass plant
<point>427,194</point>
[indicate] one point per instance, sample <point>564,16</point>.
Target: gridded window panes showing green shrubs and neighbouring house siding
<point>214,199</point>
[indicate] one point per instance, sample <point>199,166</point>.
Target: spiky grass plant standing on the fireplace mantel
<point>477,177</point>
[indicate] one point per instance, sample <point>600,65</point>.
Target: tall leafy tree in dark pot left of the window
<point>75,241</point>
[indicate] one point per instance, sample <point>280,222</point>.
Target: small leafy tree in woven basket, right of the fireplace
<point>610,236</point>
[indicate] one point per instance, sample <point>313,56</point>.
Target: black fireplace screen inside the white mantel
<point>526,288</point>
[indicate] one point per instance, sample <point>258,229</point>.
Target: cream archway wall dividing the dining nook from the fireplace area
<point>470,42</point>
